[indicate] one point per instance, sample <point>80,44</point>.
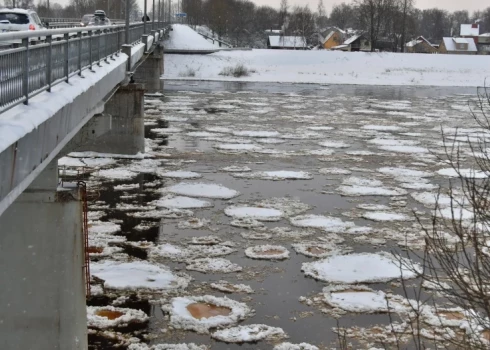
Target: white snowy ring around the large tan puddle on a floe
<point>181,318</point>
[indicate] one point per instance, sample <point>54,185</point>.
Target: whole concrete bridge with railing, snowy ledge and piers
<point>61,90</point>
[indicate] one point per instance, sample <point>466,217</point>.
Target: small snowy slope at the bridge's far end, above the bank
<point>184,38</point>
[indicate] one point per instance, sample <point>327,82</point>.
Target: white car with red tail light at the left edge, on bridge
<point>18,19</point>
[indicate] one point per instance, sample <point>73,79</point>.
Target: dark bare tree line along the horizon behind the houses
<point>388,24</point>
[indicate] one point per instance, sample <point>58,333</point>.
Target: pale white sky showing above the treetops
<point>451,5</point>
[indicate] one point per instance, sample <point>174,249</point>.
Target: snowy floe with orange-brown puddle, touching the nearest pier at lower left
<point>102,317</point>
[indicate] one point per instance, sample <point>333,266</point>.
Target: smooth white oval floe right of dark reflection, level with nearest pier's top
<point>197,189</point>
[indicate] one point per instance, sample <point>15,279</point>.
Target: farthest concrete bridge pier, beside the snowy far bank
<point>151,70</point>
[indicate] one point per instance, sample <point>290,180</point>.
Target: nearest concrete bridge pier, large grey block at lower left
<point>41,268</point>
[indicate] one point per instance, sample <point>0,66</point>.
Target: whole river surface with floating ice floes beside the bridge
<point>263,245</point>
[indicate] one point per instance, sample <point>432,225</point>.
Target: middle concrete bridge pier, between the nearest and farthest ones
<point>120,129</point>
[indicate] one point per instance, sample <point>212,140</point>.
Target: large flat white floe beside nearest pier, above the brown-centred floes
<point>137,275</point>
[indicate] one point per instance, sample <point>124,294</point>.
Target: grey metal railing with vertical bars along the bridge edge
<point>40,59</point>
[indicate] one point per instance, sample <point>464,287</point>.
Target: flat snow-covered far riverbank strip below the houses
<point>332,67</point>
